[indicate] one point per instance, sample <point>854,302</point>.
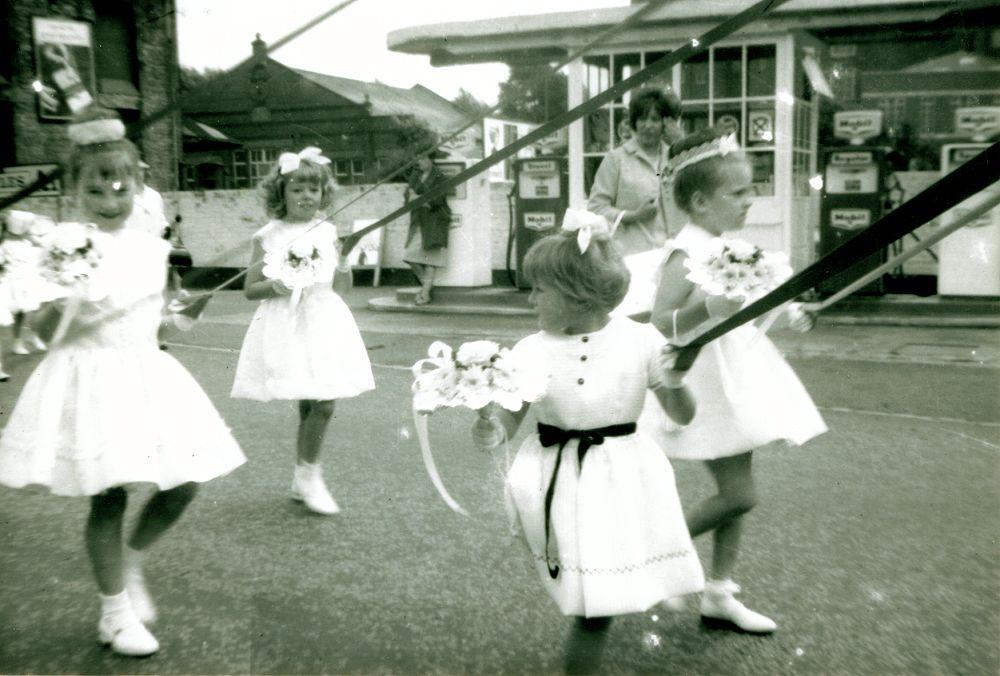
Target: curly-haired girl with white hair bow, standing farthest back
<point>302,344</point>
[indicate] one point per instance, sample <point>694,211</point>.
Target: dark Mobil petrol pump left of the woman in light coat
<point>542,194</point>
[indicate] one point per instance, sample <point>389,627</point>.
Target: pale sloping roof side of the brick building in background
<point>383,99</point>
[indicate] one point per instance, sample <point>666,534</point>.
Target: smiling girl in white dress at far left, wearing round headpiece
<point>106,409</point>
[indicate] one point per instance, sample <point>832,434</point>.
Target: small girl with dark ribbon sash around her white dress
<point>594,498</point>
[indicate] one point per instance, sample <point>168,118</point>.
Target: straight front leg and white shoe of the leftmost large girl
<point>119,626</point>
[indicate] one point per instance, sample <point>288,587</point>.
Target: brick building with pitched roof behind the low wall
<point>363,127</point>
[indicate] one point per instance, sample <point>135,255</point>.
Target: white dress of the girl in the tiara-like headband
<point>747,394</point>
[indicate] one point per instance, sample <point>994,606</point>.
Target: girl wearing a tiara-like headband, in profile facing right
<point>747,394</point>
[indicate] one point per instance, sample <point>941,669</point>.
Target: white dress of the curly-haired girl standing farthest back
<point>309,350</point>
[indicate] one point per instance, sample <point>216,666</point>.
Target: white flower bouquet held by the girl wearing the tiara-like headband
<point>737,269</point>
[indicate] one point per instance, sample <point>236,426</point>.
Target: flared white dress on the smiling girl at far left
<point>107,407</point>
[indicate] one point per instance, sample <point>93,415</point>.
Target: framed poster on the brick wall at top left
<point>64,67</point>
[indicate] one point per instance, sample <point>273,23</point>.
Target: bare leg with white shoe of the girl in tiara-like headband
<point>723,514</point>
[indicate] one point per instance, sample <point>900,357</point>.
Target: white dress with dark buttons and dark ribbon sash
<point>617,532</point>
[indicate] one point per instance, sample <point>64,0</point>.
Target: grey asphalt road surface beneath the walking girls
<point>874,546</point>
